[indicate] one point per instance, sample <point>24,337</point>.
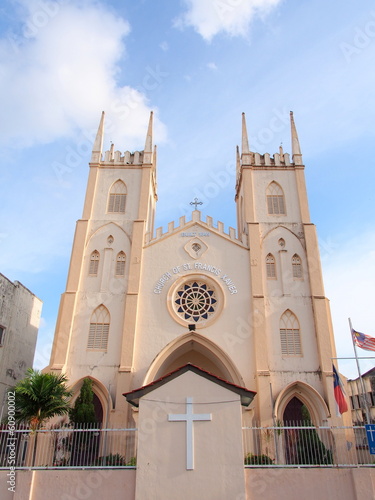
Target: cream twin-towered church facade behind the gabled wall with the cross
<point>247,305</point>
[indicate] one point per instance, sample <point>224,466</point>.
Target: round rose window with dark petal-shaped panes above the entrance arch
<point>195,301</point>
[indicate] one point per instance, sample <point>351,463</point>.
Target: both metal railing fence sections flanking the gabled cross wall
<point>279,446</point>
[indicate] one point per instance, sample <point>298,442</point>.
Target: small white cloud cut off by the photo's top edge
<point>210,17</point>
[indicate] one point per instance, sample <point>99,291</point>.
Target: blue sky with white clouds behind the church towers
<point>198,64</point>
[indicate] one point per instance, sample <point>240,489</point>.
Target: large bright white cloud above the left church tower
<point>62,69</point>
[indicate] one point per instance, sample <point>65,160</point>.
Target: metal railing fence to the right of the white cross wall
<point>306,446</point>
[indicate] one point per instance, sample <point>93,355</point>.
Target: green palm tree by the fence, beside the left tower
<point>39,397</point>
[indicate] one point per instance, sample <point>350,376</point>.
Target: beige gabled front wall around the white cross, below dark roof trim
<point>162,472</point>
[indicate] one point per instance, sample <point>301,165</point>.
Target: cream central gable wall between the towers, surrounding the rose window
<point>157,327</point>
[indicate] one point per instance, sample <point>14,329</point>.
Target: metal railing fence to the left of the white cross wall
<point>67,448</point>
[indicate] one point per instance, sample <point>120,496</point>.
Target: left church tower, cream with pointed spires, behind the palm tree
<point>98,311</point>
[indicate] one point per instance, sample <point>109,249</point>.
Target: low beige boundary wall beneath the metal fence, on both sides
<point>261,484</point>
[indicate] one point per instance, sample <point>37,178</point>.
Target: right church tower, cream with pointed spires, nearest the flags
<point>290,315</point>
